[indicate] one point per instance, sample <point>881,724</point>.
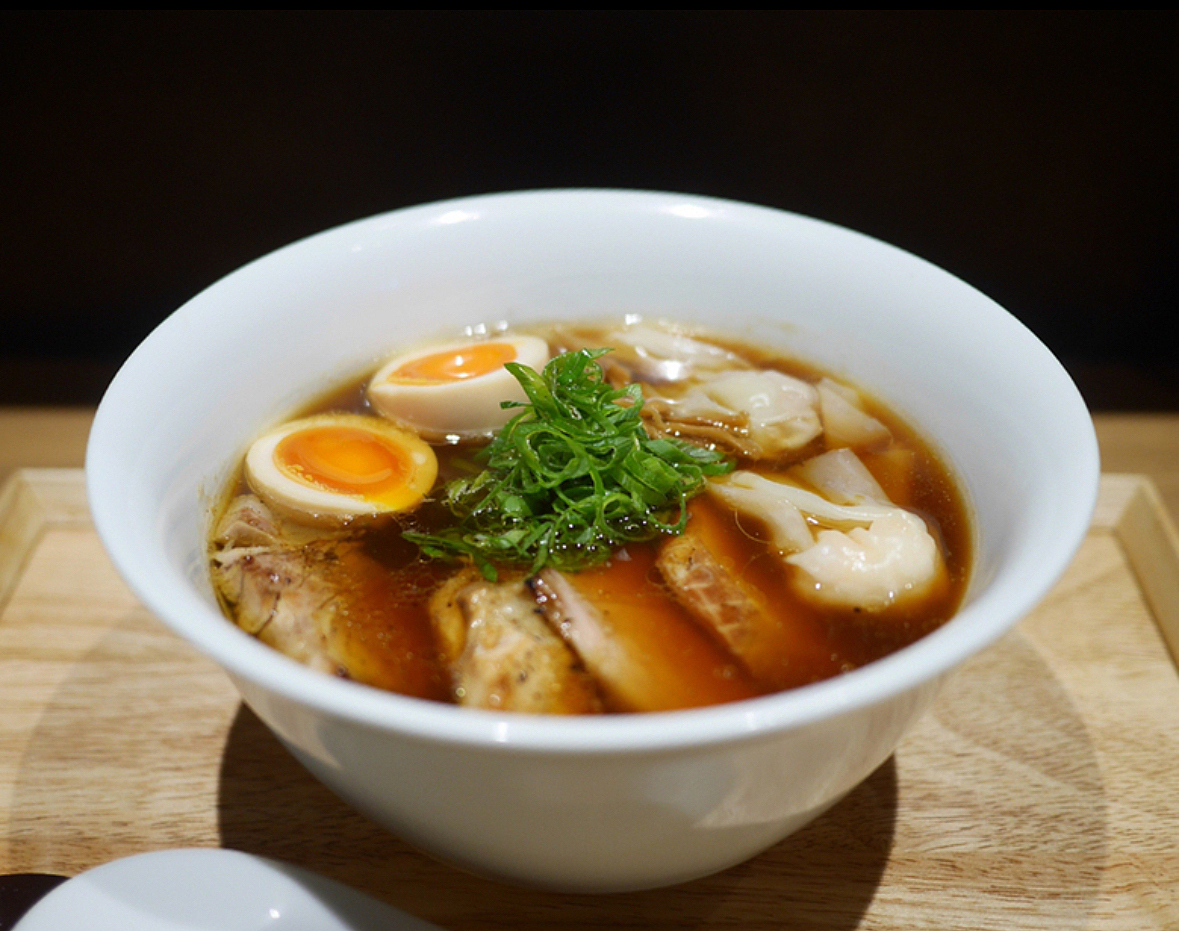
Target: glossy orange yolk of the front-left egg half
<point>350,461</point>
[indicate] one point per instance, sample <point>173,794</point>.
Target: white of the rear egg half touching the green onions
<point>462,410</point>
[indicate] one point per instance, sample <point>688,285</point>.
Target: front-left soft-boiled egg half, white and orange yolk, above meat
<point>334,468</point>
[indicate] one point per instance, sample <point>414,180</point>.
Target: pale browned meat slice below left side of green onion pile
<point>502,653</point>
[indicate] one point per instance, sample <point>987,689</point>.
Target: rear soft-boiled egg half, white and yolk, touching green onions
<point>455,392</point>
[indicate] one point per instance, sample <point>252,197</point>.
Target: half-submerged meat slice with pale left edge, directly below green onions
<point>644,652</point>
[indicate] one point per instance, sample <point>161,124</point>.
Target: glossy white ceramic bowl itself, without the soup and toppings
<point>608,803</point>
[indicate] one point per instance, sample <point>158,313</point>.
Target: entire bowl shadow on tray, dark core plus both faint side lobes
<point>946,834</point>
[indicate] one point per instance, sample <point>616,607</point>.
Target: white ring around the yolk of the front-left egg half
<point>311,504</point>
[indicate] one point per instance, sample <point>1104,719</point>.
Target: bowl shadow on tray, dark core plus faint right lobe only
<point>993,813</point>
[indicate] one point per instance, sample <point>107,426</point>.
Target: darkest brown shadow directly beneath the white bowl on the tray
<point>824,876</point>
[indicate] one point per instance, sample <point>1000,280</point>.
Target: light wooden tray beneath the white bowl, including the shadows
<point>1042,791</point>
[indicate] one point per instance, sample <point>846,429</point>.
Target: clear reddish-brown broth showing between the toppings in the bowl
<point>390,584</point>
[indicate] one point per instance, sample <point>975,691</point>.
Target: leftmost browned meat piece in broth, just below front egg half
<point>324,603</point>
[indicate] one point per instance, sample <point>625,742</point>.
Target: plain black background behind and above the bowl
<point>146,155</point>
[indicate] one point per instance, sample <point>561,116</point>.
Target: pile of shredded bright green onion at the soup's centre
<point>572,478</point>
